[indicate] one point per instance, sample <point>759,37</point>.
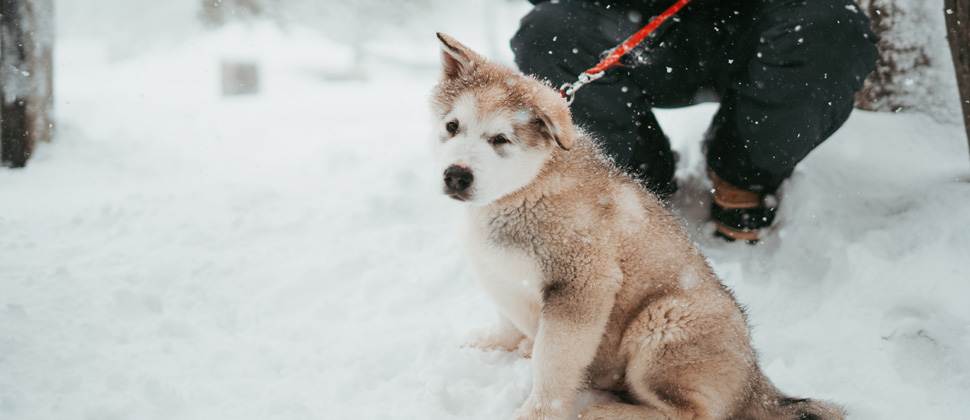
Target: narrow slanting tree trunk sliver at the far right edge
<point>958,32</point>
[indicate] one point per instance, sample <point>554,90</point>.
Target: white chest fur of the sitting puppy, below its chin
<point>511,277</point>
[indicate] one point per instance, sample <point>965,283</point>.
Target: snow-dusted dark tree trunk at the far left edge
<point>26,84</point>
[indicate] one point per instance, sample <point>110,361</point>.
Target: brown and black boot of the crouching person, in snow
<point>739,214</point>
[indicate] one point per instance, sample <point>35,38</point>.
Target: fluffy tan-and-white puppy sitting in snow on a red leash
<point>592,276</point>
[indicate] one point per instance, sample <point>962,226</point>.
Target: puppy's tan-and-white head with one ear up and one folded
<point>495,128</point>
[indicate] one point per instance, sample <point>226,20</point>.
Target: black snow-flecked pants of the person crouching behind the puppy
<point>784,71</point>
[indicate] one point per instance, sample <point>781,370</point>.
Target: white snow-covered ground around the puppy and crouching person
<point>175,254</point>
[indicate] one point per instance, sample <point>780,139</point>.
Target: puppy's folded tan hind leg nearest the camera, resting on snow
<point>686,360</point>
